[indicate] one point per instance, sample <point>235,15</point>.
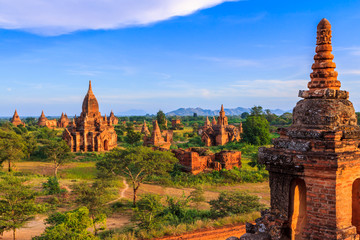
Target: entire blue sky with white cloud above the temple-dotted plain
<point>166,54</point>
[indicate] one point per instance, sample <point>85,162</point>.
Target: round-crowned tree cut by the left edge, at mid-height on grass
<point>12,147</point>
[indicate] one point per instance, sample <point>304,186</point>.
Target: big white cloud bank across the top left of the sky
<point>57,17</point>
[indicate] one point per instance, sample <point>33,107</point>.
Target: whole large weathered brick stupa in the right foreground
<point>314,165</point>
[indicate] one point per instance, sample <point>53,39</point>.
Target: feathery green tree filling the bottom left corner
<point>17,203</point>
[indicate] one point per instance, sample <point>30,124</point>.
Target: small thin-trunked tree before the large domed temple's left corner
<point>58,153</point>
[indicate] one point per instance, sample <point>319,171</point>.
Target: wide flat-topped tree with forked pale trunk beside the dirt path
<point>136,163</point>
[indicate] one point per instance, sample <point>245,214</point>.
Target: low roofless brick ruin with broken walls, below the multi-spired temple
<point>196,160</point>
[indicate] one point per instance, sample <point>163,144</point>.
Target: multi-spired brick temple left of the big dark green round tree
<point>219,133</point>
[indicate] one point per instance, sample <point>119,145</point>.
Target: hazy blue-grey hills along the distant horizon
<point>208,112</point>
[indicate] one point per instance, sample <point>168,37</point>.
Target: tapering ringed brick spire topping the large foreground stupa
<point>324,75</point>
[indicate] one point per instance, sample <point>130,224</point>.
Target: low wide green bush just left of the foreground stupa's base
<point>229,203</point>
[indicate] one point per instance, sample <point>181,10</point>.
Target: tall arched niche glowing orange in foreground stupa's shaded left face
<point>297,213</point>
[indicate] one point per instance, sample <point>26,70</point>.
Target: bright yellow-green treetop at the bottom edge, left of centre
<point>71,225</point>
